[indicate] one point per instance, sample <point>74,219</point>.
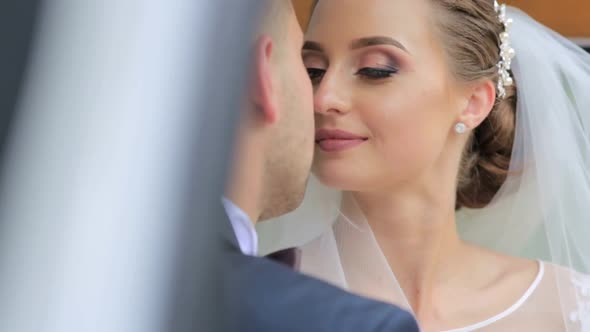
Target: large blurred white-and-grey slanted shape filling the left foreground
<point>115,128</point>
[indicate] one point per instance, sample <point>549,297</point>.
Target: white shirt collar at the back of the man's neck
<point>243,228</point>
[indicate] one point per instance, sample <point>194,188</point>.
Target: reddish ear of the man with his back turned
<point>263,85</point>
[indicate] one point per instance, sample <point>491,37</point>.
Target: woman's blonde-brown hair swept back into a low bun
<point>470,31</point>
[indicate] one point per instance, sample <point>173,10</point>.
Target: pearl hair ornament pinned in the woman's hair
<point>507,53</point>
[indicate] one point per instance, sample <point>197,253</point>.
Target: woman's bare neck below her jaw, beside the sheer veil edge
<point>418,236</point>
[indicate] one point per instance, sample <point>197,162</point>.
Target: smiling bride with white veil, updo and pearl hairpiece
<point>454,135</point>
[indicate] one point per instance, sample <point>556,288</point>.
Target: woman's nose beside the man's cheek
<point>331,96</point>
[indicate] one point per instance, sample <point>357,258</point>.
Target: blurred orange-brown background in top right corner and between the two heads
<point>571,18</point>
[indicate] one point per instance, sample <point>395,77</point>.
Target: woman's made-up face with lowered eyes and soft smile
<point>385,101</point>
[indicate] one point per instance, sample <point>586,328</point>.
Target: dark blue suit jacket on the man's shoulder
<point>262,295</point>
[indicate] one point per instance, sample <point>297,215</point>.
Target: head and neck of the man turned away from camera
<point>276,137</point>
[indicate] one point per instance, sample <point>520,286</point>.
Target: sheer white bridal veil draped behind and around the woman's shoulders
<point>542,212</point>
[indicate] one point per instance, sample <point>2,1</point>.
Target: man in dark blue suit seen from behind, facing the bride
<point>273,156</point>
